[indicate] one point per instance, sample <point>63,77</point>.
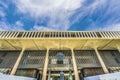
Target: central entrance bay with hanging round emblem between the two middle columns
<point>60,65</point>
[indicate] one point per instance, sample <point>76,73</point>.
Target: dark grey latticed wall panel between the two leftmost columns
<point>33,59</point>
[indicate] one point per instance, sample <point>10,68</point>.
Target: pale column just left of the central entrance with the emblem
<point>45,65</point>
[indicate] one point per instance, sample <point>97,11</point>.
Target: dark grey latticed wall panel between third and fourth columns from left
<point>86,58</point>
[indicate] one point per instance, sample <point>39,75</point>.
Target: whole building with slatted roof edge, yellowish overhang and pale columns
<point>44,55</point>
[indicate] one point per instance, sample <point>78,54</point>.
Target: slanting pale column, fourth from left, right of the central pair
<point>101,61</point>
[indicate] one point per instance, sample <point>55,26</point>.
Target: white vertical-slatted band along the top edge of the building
<point>63,34</point>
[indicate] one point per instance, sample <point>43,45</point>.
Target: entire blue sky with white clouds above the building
<point>62,15</point>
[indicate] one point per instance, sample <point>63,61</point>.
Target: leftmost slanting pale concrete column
<point>17,62</point>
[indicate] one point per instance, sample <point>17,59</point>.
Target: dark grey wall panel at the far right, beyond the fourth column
<point>111,60</point>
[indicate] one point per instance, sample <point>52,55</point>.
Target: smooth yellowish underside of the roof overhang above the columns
<point>59,43</point>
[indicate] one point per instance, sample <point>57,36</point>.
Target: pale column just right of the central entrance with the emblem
<point>74,65</point>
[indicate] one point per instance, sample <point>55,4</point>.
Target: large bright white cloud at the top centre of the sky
<point>58,11</point>
